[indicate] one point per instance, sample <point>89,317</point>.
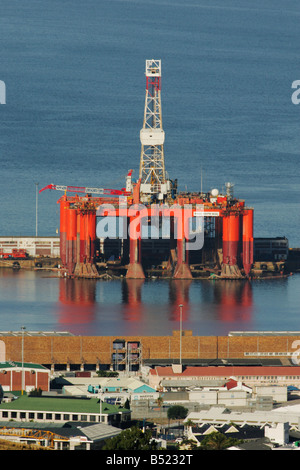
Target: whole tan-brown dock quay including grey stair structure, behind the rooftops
<point>63,351</point>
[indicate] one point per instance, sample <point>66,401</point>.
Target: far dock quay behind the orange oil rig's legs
<point>272,258</point>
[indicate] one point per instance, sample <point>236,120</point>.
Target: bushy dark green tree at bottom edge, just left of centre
<point>131,439</point>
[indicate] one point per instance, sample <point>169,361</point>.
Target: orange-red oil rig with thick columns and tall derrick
<point>148,227</point>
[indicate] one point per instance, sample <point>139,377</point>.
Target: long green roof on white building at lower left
<point>68,405</point>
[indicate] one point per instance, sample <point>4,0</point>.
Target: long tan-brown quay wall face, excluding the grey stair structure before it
<point>55,349</point>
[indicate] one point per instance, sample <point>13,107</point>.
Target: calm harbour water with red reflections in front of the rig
<point>151,307</point>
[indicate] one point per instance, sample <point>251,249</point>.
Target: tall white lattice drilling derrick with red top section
<point>154,184</point>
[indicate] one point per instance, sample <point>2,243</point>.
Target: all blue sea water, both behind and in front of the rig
<point>75,85</point>
